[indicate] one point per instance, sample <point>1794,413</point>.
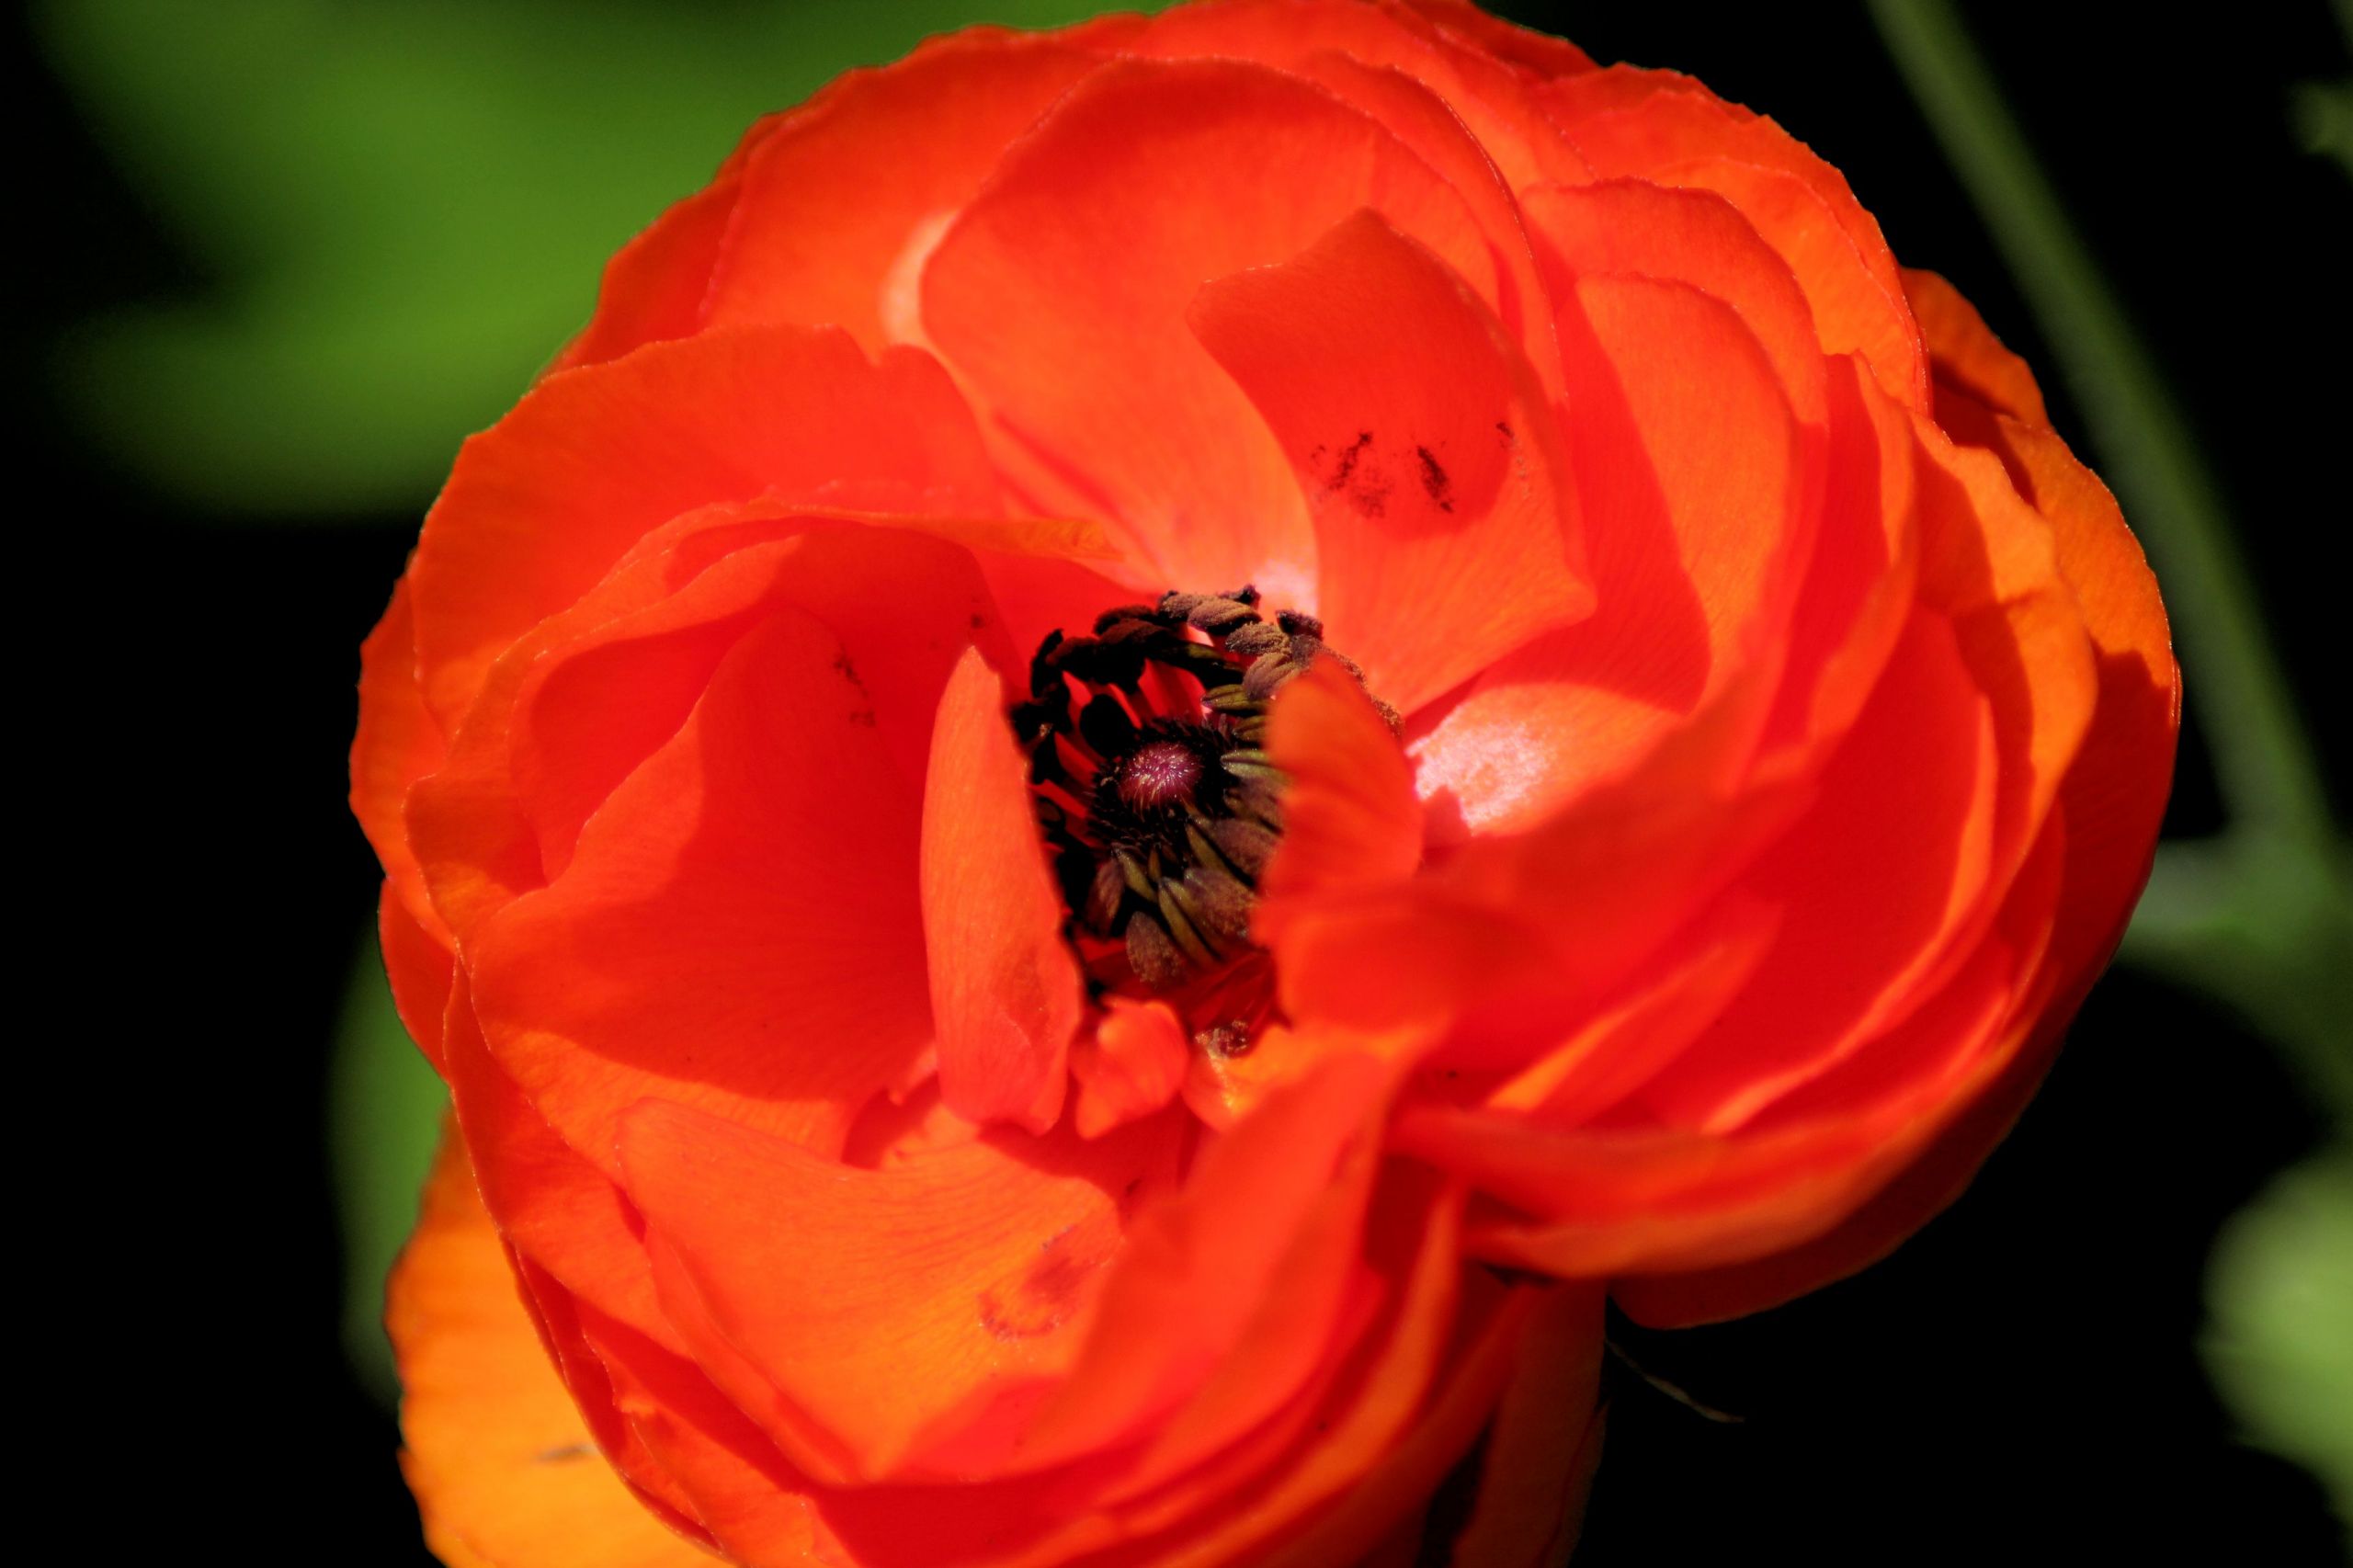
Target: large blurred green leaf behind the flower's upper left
<point>406,208</point>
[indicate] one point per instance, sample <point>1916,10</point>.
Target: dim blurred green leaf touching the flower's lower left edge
<point>385,1112</point>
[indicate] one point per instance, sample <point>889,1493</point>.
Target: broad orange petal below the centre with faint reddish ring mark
<point>858,1310</point>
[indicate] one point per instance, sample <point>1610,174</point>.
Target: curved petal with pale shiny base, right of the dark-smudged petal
<point>1684,441</point>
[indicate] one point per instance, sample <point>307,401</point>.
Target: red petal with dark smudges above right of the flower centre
<point>1422,444</point>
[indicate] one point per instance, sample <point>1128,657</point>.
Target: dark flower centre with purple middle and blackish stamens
<point>1156,802</point>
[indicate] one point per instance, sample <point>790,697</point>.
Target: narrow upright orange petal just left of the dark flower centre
<point>1006,988</point>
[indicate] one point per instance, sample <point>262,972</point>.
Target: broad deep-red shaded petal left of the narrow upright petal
<point>740,926</point>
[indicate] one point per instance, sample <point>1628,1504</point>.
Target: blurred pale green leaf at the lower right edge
<point>2281,1320</point>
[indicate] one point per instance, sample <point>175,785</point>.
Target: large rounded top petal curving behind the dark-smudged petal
<point>1058,298</point>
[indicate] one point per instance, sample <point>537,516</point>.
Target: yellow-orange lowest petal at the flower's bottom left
<point>498,1454</point>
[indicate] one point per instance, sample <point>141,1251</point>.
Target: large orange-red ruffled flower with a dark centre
<point>980,1039</point>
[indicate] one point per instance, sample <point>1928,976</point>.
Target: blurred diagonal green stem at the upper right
<point>2262,757</point>
